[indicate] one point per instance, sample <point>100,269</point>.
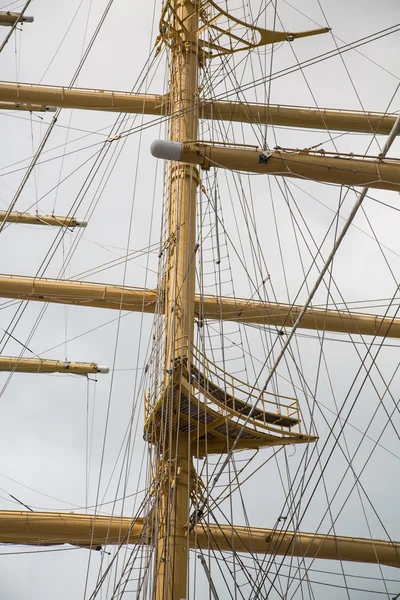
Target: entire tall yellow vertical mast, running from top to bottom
<point>172,555</point>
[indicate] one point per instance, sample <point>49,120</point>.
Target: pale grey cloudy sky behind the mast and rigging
<point>63,438</point>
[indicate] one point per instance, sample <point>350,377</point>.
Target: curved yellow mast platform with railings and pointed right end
<point>218,410</point>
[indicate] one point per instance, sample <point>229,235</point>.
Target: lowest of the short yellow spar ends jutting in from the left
<point>42,365</point>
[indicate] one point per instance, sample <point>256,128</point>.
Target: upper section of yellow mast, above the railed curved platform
<point>180,278</point>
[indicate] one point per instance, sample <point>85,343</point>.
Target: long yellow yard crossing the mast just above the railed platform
<point>100,295</point>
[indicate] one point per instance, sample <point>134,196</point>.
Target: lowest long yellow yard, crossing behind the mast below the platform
<point>43,529</point>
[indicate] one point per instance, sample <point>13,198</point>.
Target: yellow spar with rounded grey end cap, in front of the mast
<point>367,172</point>
